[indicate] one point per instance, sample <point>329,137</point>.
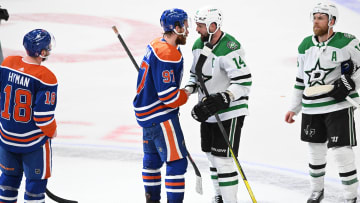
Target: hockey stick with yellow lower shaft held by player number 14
<point>206,51</point>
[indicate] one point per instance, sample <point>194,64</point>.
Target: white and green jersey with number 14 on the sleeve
<point>224,69</point>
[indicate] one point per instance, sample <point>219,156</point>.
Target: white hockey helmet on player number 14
<point>208,15</point>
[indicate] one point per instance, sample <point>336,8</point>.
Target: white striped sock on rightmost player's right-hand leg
<point>345,160</point>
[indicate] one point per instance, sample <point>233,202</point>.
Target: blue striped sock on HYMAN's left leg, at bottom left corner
<point>9,186</point>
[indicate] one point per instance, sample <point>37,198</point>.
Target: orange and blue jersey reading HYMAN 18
<point>27,104</point>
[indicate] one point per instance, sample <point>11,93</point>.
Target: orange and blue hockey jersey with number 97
<point>158,95</point>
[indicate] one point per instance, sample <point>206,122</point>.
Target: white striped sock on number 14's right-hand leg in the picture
<point>228,178</point>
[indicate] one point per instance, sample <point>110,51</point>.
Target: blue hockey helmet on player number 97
<point>171,17</point>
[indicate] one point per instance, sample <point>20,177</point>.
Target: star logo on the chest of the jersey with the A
<point>318,74</point>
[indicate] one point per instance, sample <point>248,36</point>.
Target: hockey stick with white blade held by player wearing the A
<point>323,89</point>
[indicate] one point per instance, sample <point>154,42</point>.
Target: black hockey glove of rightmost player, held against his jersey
<point>342,88</point>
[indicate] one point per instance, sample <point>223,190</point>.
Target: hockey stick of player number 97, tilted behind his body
<point>198,186</point>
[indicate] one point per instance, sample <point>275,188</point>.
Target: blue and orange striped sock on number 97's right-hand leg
<point>175,180</point>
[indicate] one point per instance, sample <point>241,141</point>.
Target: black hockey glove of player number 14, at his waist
<point>210,105</point>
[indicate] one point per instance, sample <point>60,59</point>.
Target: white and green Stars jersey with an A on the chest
<point>319,63</point>
